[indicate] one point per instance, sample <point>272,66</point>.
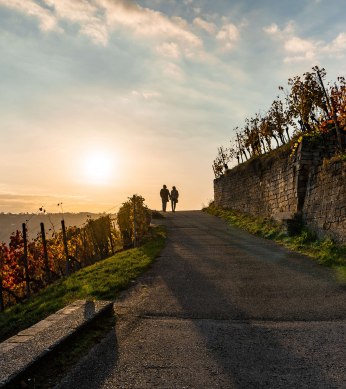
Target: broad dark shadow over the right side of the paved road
<point>214,283</point>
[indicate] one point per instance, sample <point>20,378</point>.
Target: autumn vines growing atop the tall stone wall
<point>309,109</point>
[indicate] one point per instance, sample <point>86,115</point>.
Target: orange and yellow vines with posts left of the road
<point>27,266</point>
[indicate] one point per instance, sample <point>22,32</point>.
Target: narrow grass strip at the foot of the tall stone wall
<point>325,251</point>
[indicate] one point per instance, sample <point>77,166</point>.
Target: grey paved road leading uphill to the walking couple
<point>223,309</point>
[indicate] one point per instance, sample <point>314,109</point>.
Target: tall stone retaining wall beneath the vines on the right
<point>280,186</point>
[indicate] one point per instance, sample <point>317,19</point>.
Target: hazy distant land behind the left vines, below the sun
<point>11,222</point>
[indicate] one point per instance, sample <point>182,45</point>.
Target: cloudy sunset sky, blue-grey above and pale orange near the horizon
<point>103,99</point>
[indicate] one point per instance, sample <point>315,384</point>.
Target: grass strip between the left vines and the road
<point>101,281</point>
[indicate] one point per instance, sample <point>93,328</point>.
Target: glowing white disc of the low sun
<point>99,167</point>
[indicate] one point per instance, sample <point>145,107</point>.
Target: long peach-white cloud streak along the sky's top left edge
<point>97,19</point>
